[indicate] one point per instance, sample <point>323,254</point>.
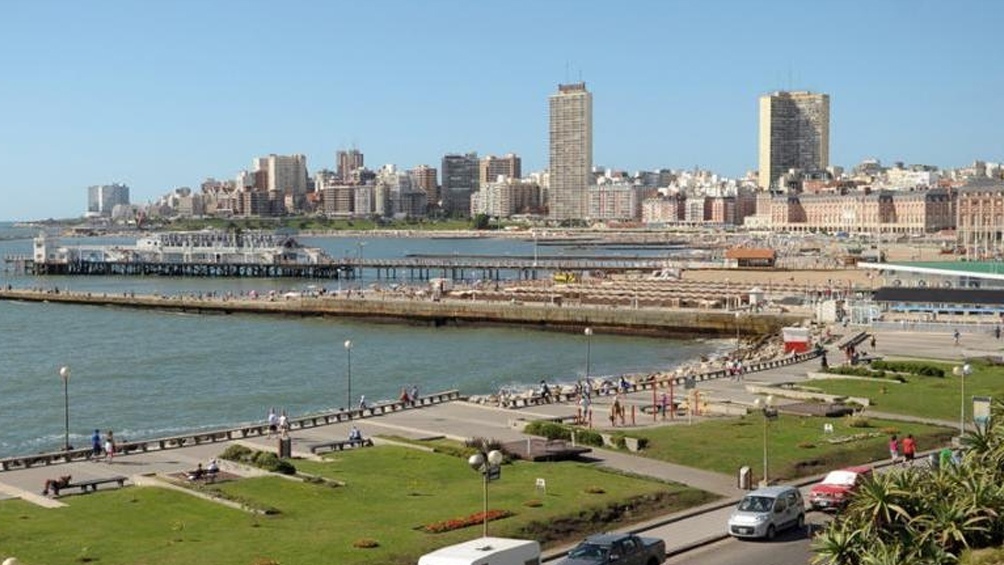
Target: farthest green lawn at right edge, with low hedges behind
<point>922,397</point>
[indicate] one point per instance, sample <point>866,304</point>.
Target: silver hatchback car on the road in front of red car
<point>768,511</point>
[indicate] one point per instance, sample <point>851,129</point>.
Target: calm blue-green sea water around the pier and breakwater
<point>147,375</point>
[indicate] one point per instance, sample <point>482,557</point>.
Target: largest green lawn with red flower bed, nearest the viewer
<point>390,493</point>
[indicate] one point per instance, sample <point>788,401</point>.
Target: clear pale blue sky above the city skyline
<point>163,95</point>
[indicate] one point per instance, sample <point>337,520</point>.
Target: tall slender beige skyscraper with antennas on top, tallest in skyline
<point>571,152</point>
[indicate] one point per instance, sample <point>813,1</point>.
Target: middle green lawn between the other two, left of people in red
<point>798,446</point>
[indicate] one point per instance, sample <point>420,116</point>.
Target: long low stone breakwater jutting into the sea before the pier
<point>668,323</point>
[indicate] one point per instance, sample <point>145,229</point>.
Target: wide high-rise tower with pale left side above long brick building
<point>795,134</point>
